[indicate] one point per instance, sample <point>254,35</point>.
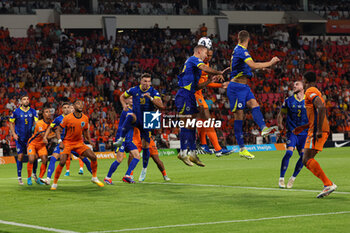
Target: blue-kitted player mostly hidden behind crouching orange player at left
<point>66,109</point>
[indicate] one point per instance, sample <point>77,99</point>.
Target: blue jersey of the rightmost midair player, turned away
<point>239,67</point>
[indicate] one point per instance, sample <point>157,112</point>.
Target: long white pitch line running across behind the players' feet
<point>216,186</point>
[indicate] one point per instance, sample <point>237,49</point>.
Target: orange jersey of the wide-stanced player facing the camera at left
<point>74,127</point>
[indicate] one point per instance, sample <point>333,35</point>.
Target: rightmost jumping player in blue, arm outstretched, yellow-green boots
<point>239,93</point>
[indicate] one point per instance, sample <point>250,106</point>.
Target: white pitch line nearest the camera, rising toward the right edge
<point>222,222</point>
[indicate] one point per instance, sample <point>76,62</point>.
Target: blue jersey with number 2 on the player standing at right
<point>296,113</point>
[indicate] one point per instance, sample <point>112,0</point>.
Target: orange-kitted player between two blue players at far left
<point>37,147</point>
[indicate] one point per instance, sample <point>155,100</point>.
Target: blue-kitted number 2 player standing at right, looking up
<point>294,108</point>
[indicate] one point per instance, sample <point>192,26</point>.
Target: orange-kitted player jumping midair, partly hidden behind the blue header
<point>204,113</point>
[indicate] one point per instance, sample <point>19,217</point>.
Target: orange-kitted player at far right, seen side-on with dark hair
<point>318,131</point>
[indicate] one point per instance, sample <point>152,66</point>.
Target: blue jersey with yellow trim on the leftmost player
<point>24,122</point>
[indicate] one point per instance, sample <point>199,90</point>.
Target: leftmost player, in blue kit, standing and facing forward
<point>21,125</point>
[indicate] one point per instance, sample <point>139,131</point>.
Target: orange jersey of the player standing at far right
<point>310,95</point>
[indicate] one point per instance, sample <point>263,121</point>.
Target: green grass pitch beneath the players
<point>78,205</point>
